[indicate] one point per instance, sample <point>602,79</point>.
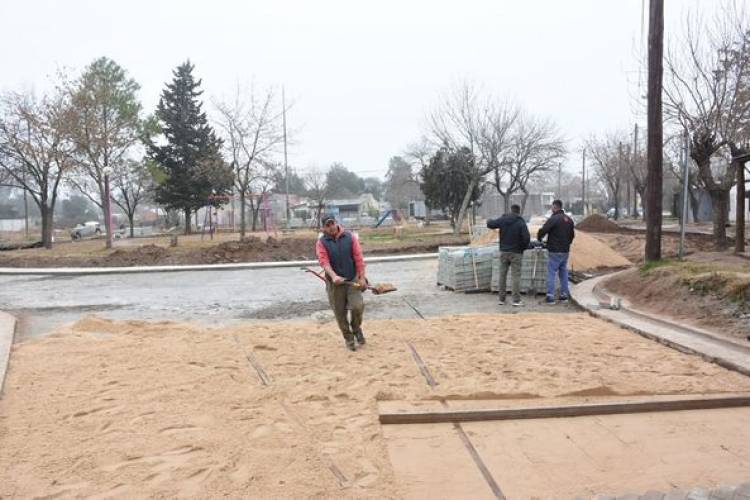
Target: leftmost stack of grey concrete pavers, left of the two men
<point>464,269</point>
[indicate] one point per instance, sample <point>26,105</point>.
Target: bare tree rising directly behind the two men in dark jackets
<point>535,148</point>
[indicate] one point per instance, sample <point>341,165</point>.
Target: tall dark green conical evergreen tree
<point>195,174</point>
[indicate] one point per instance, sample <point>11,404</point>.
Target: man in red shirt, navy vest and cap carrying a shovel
<point>340,255</point>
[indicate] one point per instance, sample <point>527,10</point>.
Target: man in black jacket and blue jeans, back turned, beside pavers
<point>560,231</point>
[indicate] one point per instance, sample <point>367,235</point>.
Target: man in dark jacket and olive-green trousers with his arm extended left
<point>514,239</point>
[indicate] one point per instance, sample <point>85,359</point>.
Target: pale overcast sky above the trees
<point>362,75</point>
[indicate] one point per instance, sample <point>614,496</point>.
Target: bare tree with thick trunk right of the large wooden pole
<point>703,95</point>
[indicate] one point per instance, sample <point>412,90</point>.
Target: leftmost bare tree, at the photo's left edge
<point>35,149</point>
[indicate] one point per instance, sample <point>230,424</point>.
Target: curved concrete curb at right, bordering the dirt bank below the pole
<point>683,338</point>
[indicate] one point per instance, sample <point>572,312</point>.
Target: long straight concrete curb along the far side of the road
<point>80,271</point>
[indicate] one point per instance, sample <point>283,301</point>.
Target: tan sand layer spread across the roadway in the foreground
<point>163,409</point>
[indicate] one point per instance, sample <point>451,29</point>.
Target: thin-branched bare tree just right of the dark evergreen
<point>253,132</point>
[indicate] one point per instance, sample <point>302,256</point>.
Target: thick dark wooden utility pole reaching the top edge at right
<point>655,130</point>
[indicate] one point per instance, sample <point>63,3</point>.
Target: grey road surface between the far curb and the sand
<point>42,303</point>
